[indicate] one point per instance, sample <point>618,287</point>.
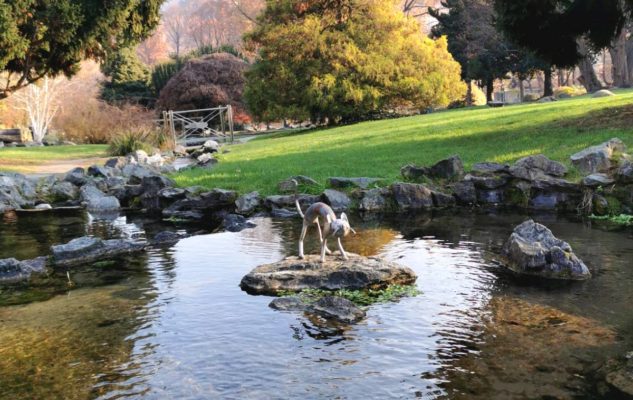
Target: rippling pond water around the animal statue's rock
<point>173,323</point>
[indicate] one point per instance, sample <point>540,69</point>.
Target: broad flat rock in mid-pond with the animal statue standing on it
<point>293,274</point>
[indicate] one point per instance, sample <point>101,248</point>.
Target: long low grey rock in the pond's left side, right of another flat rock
<point>87,249</point>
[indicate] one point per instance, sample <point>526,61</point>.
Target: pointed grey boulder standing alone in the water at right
<point>532,249</point>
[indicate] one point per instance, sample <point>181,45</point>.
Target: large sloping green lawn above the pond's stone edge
<point>381,148</point>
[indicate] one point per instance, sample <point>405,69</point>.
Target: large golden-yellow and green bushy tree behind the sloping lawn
<point>345,61</point>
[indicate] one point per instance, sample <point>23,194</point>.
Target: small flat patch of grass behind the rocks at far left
<point>37,159</point>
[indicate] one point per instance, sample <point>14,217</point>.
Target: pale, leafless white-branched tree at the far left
<point>40,103</point>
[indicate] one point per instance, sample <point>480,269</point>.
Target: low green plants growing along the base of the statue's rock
<point>358,297</point>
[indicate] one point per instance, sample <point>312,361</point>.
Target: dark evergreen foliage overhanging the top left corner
<point>50,37</point>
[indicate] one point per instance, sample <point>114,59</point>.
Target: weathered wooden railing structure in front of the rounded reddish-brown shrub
<point>209,123</point>
